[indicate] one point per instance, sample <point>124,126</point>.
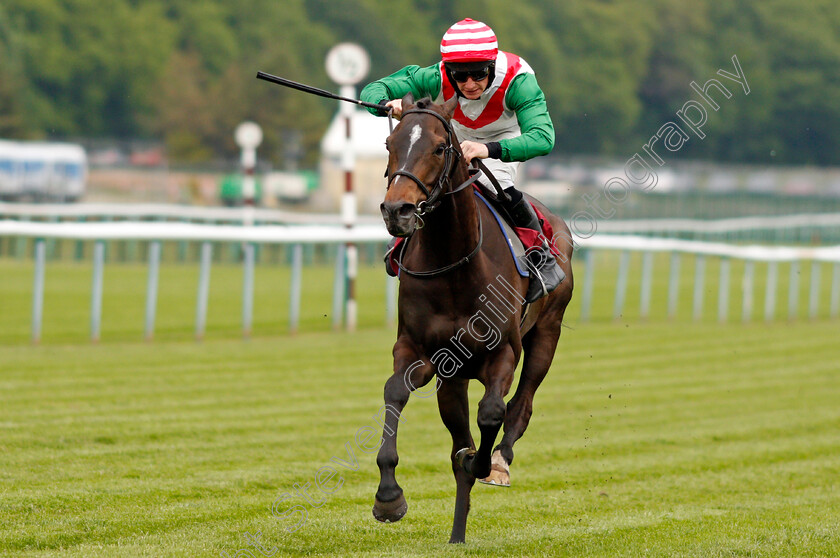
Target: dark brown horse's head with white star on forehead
<point>422,152</point>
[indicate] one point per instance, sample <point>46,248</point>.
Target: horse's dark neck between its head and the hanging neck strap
<point>452,230</point>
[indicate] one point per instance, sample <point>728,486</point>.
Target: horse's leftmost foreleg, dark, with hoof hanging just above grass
<point>390,504</point>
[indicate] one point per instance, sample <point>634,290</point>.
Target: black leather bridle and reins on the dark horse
<point>433,195</point>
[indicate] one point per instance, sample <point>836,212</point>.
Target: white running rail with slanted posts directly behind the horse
<point>296,237</point>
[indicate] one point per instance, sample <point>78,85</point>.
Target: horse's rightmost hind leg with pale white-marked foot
<point>538,348</point>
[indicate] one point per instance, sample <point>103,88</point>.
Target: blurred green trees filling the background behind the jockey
<point>613,71</point>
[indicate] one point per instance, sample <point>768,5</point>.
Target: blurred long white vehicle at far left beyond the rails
<point>42,171</point>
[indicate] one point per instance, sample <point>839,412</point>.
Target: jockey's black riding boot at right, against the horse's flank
<point>546,273</point>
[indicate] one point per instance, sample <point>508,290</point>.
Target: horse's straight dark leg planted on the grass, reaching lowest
<point>454,410</point>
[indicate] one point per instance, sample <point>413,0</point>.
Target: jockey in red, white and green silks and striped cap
<point>501,117</point>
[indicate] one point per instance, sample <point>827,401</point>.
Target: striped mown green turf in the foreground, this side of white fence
<point>647,440</point>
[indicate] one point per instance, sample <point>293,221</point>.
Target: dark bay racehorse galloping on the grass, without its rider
<point>460,309</point>
